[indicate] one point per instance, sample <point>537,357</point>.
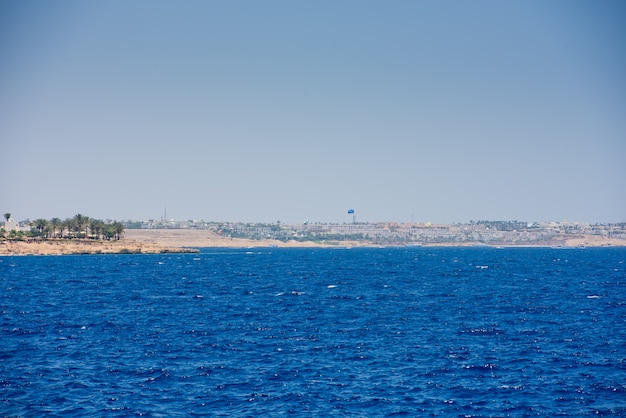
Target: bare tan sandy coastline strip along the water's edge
<point>159,241</point>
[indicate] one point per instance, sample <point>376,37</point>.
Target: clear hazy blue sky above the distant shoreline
<point>426,111</point>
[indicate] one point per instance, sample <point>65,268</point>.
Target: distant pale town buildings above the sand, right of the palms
<point>391,233</point>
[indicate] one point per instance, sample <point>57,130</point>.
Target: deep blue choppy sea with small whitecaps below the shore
<point>316,332</point>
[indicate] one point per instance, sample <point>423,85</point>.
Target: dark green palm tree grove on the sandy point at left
<point>78,226</point>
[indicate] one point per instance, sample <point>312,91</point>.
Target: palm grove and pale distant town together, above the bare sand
<point>375,233</point>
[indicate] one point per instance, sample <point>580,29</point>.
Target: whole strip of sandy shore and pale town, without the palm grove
<point>169,237</point>
